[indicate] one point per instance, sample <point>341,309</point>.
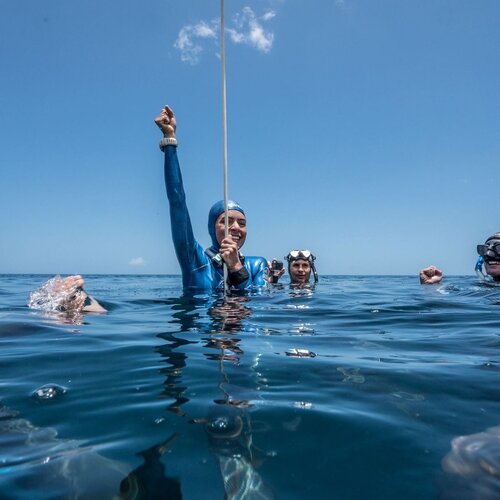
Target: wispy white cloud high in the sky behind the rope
<point>247,29</point>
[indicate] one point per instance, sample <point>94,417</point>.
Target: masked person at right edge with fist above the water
<point>487,264</point>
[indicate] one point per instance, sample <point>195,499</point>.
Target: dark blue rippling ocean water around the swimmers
<point>365,387</point>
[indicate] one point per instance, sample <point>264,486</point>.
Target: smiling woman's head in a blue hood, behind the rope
<point>237,223</point>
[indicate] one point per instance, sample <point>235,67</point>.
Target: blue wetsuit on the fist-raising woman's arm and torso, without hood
<point>198,269</point>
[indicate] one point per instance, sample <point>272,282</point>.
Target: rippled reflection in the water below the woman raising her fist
<point>227,422</point>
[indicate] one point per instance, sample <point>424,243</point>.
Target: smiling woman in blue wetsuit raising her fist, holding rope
<point>203,269</point>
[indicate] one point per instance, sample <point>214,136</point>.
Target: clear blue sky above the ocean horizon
<point>365,131</point>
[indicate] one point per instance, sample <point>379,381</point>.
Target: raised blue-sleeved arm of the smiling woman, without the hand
<point>182,231</point>
